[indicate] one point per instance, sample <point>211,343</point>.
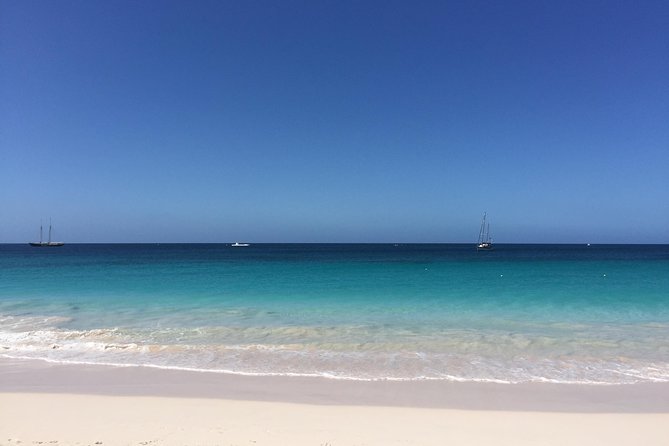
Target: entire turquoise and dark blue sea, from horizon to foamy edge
<point>521,313</point>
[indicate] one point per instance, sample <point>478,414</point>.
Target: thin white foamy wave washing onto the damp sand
<point>356,366</point>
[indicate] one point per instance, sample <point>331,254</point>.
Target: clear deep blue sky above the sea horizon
<point>335,121</point>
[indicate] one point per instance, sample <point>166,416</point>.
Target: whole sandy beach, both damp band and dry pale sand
<point>42,403</point>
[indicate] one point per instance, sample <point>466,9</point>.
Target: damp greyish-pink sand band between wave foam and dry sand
<point>36,376</point>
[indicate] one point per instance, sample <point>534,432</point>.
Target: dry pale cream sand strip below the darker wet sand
<point>108,420</point>
